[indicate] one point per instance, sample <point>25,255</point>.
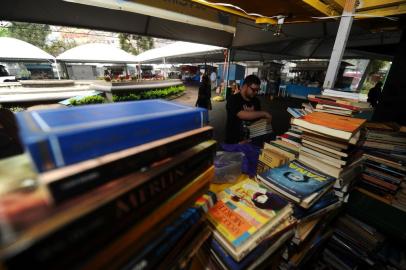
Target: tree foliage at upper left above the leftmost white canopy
<point>36,34</point>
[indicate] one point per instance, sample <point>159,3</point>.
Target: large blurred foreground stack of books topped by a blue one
<point>118,185</point>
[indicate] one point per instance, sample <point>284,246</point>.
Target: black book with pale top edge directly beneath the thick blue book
<point>69,181</point>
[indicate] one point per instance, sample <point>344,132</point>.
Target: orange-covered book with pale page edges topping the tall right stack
<point>333,125</point>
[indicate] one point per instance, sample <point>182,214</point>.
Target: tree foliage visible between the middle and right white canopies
<point>135,44</point>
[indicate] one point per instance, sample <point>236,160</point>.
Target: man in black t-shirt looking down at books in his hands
<point>243,106</point>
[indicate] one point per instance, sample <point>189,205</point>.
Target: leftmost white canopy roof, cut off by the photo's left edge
<point>15,49</point>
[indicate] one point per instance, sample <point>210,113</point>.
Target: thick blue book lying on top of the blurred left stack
<point>64,136</point>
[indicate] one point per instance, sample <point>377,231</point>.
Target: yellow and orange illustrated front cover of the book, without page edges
<point>244,209</point>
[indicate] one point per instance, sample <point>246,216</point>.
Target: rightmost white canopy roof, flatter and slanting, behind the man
<point>177,49</point>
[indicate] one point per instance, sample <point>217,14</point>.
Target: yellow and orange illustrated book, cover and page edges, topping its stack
<point>244,216</point>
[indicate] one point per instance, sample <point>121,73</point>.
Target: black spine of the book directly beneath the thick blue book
<point>73,185</point>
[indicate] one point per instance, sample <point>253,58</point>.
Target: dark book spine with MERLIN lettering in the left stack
<point>87,234</point>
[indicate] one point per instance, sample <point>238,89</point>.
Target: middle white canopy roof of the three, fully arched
<point>96,53</point>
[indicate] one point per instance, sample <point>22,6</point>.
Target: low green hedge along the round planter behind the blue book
<point>152,94</point>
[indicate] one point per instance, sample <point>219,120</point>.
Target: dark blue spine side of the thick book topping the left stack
<point>65,148</point>
